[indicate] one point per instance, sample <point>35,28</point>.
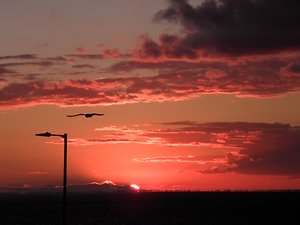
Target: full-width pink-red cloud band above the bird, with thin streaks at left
<point>172,81</point>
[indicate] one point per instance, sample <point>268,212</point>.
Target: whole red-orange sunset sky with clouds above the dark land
<point>198,95</point>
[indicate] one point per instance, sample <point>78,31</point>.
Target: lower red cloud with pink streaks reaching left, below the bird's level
<point>251,148</point>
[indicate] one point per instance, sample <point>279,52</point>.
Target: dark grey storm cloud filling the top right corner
<point>227,27</point>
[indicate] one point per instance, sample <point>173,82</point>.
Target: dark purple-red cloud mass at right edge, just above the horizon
<point>276,152</point>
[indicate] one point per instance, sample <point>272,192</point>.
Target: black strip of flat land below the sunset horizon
<point>152,208</point>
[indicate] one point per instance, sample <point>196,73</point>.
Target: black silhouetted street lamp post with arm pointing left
<point>65,137</point>
